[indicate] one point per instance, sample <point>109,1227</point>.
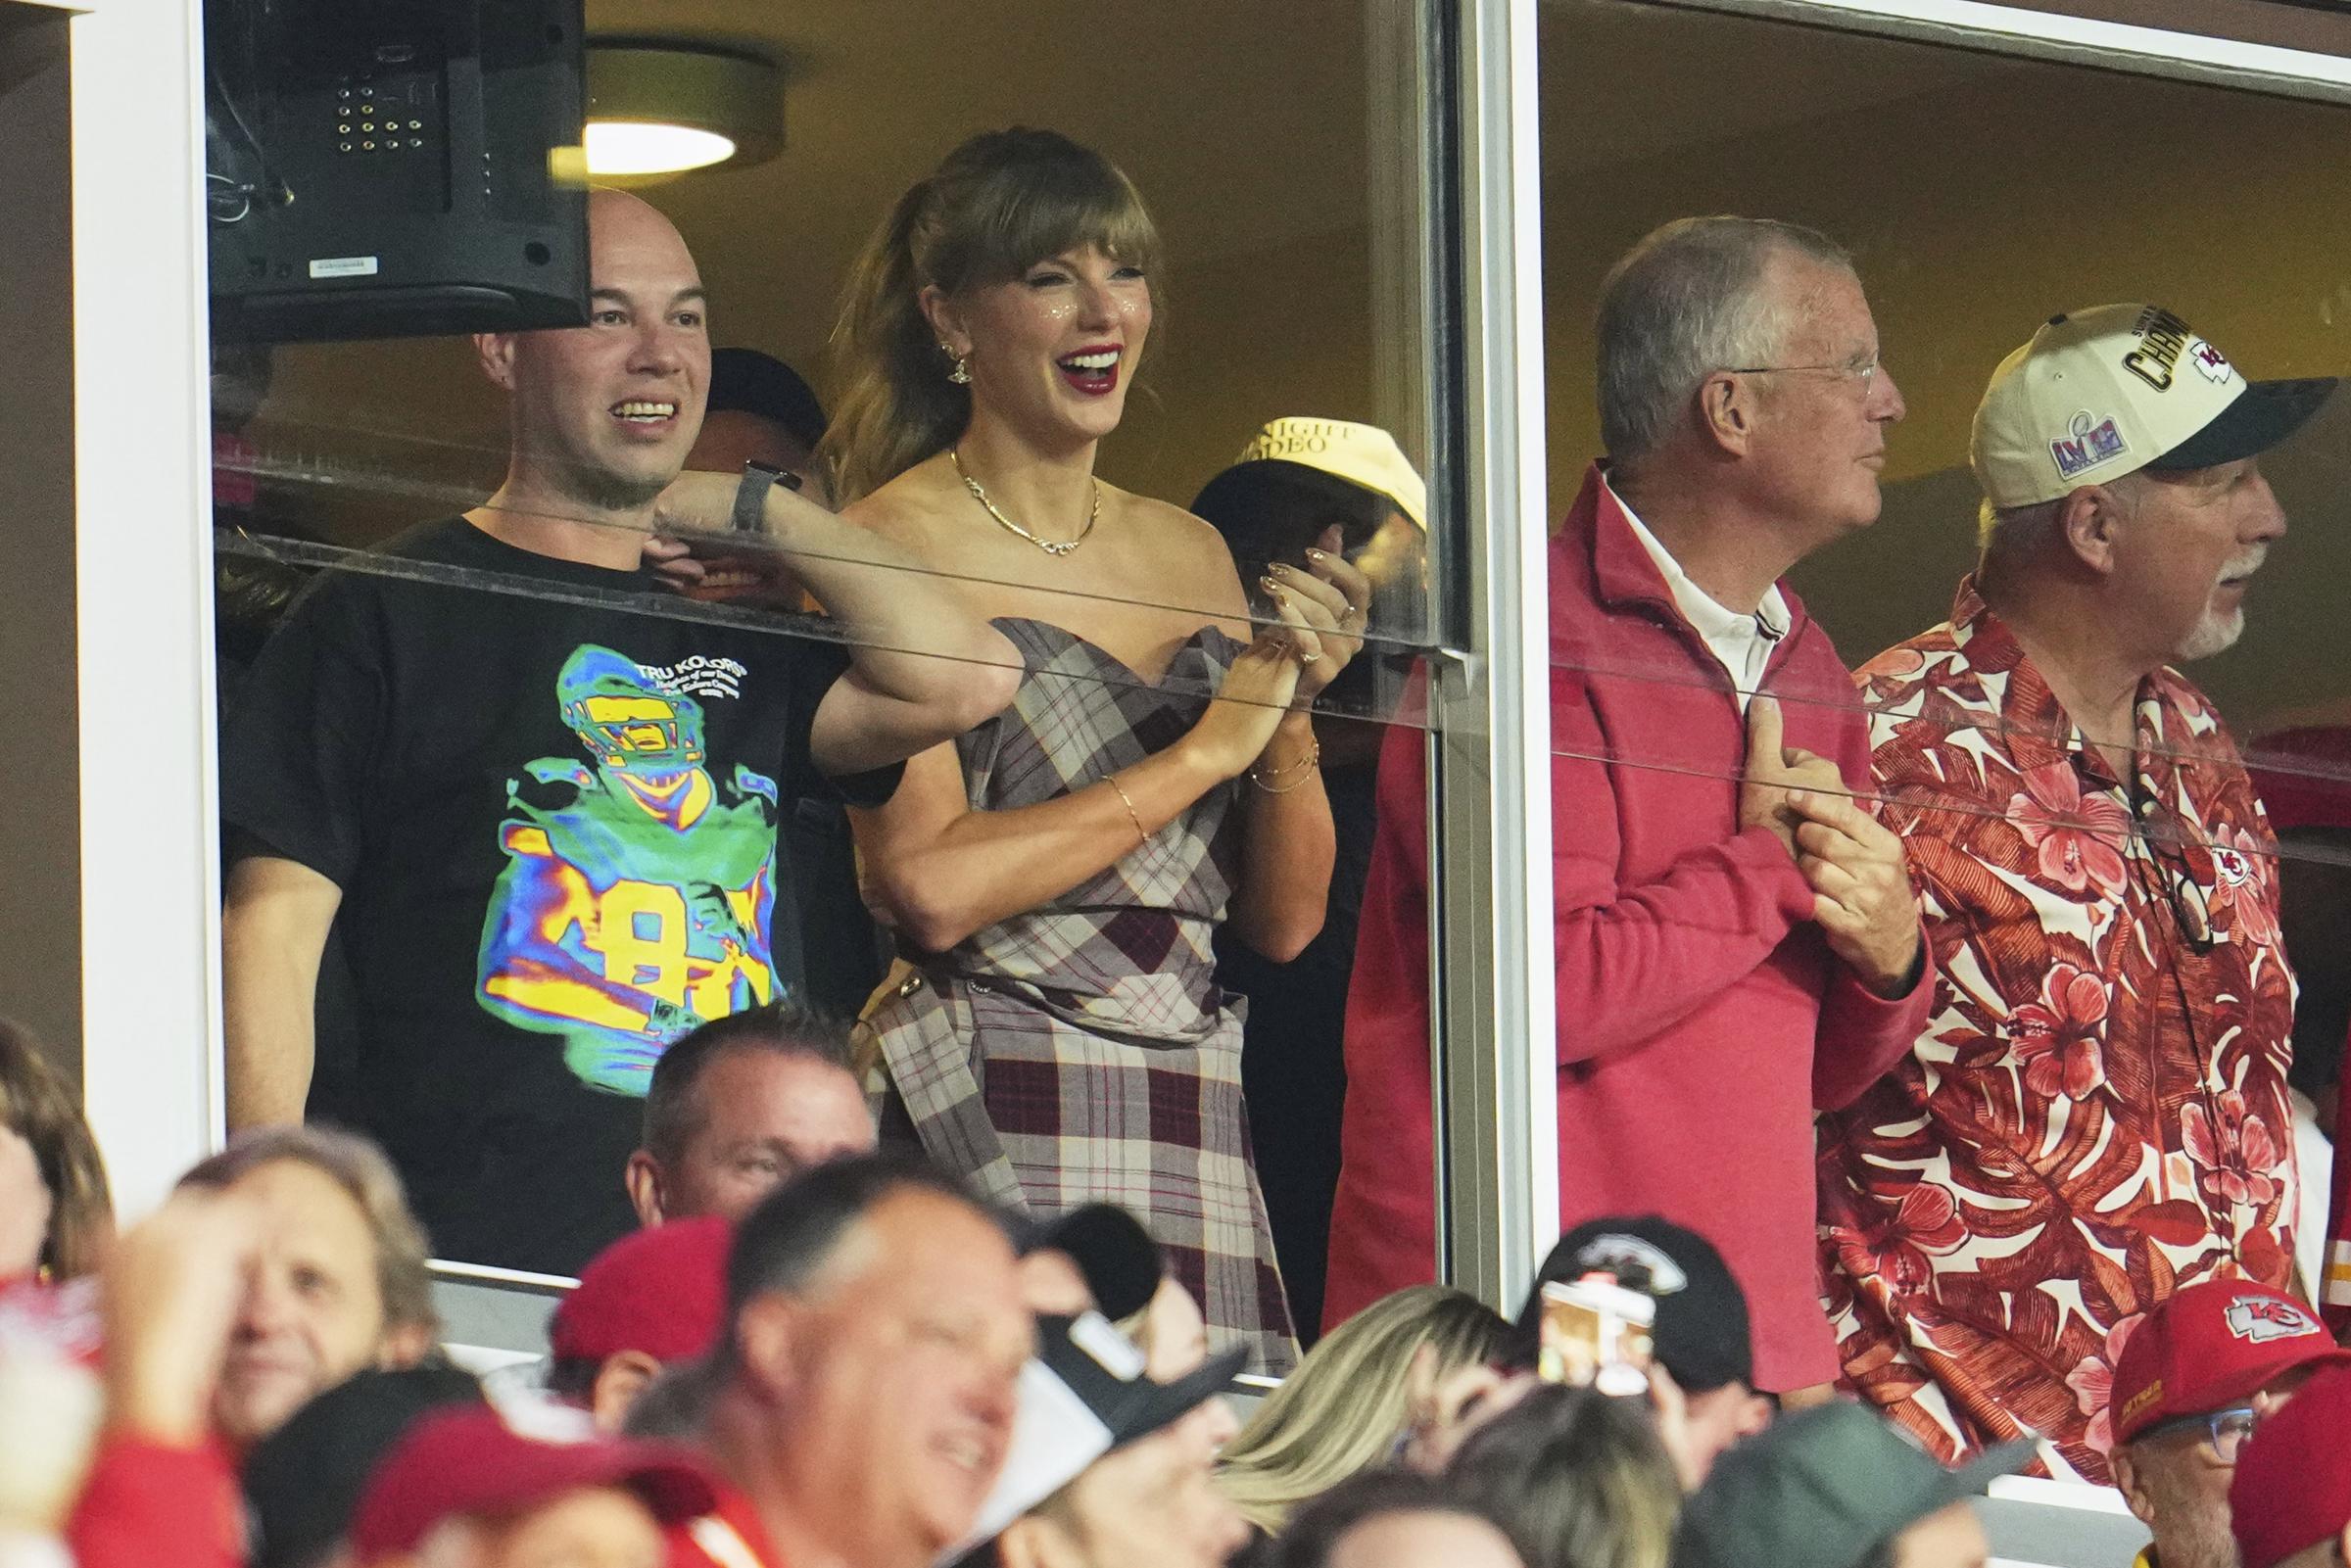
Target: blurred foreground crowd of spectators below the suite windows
<point>873,1369</point>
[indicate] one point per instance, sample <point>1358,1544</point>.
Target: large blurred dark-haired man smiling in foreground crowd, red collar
<point>866,1379</point>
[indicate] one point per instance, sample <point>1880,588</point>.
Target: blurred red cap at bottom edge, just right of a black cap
<point>474,1463</point>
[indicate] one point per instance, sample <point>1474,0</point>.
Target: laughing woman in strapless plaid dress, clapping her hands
<point>1057,878</point>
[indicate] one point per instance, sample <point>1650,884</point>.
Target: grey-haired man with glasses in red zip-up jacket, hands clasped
<point>1736,937</point>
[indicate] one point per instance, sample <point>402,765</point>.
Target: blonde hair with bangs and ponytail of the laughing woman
<point>998,206</point>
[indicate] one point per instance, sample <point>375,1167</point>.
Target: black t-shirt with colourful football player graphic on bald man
<point>554,826</point>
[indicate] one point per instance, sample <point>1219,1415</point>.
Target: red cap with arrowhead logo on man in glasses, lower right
<point>2209,1348</point>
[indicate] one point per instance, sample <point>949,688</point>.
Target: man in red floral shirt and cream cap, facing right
<point>2096,1111</point>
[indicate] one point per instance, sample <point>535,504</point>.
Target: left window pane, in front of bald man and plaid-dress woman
<point>551,862</point>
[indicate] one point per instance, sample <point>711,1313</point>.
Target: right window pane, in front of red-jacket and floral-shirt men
<point>2105,918</point>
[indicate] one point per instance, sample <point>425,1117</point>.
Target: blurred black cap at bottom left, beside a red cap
<point>304,1482</point>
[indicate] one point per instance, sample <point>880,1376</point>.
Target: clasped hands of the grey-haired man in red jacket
<point>1851,862</point>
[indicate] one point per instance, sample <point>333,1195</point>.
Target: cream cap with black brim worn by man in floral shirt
<point>2117,389</point>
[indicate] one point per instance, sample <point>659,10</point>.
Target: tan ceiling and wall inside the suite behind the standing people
<point>1978,196</point>
